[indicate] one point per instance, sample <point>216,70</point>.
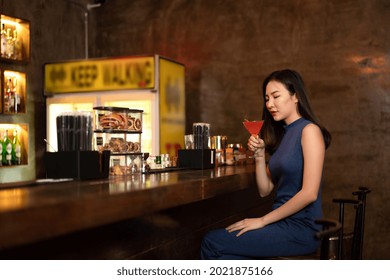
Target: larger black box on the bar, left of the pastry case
<point>79,165</point>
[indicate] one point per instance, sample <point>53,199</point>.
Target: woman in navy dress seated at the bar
<point>296,143</point>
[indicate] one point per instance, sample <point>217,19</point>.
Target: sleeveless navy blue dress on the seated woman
<point>294,235</point>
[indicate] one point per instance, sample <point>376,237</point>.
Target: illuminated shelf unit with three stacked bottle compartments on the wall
<point>14,55</point>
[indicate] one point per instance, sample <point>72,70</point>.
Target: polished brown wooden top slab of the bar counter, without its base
<point>39,212</point>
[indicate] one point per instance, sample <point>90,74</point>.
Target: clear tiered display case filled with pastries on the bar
<point>119,131</point>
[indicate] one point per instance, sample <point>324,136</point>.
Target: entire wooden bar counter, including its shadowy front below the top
<point>146,216</point>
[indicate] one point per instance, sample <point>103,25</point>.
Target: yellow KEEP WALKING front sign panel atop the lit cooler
<point>100,75</point>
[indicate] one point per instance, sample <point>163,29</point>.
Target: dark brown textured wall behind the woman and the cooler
<point>340,47</point>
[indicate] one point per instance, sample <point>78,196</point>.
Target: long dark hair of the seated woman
<point>272,131</point>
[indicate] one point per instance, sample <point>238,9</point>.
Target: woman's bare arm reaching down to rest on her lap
<point>313,153</point>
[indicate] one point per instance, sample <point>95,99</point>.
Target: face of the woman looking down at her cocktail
<point>281,105</point>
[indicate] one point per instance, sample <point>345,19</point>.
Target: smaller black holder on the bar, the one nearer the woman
<point>196,158</point>
